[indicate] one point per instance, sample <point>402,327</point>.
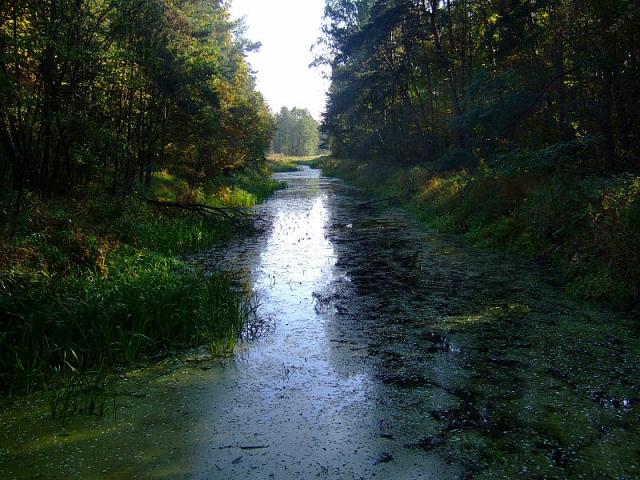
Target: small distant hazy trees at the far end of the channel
<point>297,133</point>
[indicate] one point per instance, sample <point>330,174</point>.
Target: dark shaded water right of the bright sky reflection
<point>517,379</point>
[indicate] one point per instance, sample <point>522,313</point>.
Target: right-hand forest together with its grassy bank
<point>510,121</point>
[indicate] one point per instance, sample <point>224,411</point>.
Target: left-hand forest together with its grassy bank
<point>108,106</point>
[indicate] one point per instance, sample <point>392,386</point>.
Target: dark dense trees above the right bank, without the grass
<point>432,80</point>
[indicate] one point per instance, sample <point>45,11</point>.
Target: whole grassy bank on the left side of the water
<point>93,282</point>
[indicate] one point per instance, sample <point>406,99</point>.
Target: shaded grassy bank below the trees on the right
<point>585,227</point>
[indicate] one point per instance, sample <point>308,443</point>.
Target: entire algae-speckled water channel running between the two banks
<point>396,352</point>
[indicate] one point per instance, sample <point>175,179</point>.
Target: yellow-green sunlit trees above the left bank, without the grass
<point>109,91</point>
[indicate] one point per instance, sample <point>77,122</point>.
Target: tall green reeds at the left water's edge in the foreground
<point>141,303</point>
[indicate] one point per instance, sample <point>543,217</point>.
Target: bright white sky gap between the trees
<point>286,29</point>
